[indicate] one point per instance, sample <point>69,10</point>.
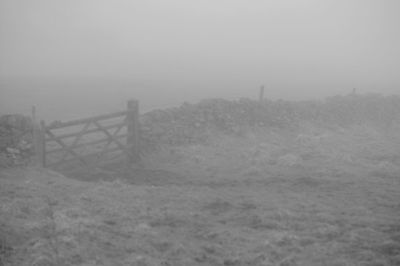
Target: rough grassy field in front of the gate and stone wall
<point>269,197</point>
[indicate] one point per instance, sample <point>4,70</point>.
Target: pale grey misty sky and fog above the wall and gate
<point>82,57</point>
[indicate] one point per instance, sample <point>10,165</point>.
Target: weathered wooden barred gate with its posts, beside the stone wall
<point>89,141</point>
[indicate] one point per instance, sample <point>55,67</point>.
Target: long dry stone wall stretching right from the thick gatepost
<point>194,123</point>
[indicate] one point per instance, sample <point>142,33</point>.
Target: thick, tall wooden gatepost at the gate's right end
<point>133,131</point>
